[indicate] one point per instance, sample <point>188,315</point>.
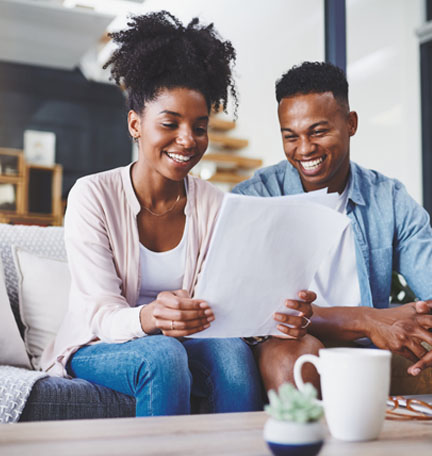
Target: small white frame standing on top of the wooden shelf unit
<point>39,147</point>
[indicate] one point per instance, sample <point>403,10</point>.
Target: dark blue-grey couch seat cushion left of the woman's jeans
<point>54,398</point>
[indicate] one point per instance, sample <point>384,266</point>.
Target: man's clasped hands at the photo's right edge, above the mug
<point>402,330</point>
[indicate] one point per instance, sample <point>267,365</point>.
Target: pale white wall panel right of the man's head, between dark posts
<point>383,71</point>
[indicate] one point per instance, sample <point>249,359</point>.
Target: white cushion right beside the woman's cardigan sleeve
<point>43,293</point>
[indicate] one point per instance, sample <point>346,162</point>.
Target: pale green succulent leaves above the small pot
<point>290,404</point>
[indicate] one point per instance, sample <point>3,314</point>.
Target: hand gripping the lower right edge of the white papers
<point>295,326</point>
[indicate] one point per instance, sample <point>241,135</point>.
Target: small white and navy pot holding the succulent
<point>286,438</point>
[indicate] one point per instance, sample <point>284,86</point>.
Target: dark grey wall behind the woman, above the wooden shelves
<point>88,118</point>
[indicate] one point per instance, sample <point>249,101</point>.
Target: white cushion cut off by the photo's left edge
<point>12,349</point>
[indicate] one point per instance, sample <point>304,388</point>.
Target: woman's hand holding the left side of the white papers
<point>175,314</point>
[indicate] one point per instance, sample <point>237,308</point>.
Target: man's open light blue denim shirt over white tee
<point>391,230</point>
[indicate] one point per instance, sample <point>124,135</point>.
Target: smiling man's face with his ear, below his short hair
<point>316,130</point>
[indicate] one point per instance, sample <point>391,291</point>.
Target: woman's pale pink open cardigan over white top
<point>102,244</point>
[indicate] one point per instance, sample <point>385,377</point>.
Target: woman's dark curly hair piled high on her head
<point>157,51</point>
